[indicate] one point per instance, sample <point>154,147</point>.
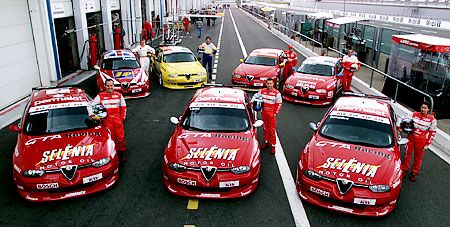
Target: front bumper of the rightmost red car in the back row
<point>309,97</point>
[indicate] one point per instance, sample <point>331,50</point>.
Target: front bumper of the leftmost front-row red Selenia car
<point>27,187</point>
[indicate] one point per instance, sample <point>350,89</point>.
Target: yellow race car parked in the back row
<point>178,68</point>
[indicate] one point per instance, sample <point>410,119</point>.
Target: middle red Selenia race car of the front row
<point>214,152</point>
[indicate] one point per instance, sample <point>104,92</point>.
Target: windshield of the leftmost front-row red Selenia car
<point>57,120</point>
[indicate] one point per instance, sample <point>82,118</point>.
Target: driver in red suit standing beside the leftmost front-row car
<point>116,110</point>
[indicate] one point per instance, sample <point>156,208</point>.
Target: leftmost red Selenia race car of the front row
<point>60,152</point>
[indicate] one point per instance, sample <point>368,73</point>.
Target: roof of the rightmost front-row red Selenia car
<point>363,105</point>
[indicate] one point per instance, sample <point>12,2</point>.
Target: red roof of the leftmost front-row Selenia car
<point>71,96</point>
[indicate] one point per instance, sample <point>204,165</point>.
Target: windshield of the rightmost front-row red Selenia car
<point>358,131</point>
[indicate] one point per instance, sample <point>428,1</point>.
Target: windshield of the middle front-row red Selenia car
<point>216,119</point>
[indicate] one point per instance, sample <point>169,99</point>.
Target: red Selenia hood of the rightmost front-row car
<point>361,164</point>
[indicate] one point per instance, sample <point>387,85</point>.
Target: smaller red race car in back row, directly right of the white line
<point>260,65</point>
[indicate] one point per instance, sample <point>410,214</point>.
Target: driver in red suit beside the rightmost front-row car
<point>424,130</point>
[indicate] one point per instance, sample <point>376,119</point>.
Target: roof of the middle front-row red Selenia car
<point>220,95</point>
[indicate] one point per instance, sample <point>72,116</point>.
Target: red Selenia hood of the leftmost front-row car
<point>68,148</point>
